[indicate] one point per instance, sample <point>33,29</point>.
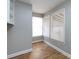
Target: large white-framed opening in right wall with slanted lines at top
<point>57,25</point>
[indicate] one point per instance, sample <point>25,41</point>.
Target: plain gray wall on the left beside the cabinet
<point>19,36</point>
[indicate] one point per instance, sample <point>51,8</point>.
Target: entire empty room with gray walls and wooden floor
<point>39,29</point>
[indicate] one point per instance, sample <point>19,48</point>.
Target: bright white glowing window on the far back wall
<point>36,26</point>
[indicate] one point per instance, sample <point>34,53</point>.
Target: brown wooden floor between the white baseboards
<point>42,51</point>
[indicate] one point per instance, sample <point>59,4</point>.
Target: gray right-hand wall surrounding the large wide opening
<point>67,45</point>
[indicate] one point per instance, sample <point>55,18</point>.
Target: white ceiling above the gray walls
<point>42,6</point>
